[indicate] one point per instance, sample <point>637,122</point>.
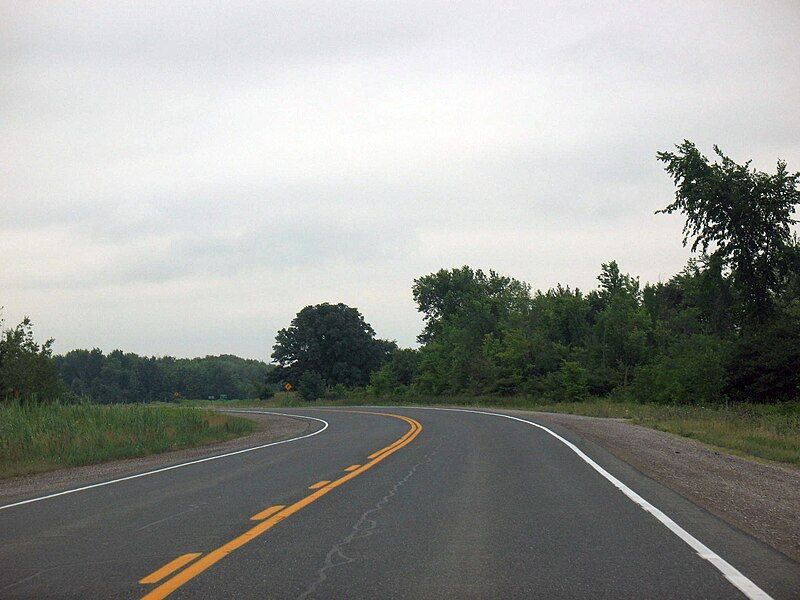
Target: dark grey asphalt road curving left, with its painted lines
<point>450,505</point>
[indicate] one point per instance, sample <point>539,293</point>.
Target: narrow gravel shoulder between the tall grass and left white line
<point>271,428</point>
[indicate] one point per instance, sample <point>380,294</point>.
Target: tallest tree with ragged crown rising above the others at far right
<point>739,215</point>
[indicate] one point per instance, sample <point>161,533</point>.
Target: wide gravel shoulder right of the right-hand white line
<point>760,499</point>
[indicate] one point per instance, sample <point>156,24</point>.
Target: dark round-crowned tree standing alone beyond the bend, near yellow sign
<point>332,340</point>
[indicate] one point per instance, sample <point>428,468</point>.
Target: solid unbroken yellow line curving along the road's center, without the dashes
<point>213,557</point>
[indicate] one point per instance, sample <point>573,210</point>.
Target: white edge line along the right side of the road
<point>742,583</point>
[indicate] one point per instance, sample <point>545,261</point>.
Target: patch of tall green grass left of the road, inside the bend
<point>41,437</point>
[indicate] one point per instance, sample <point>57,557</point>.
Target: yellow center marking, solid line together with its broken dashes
<point>213,557</point>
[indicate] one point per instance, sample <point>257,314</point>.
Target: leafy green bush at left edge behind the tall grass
<point>27,372</point>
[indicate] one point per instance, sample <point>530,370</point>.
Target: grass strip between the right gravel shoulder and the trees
<point>761,431</point>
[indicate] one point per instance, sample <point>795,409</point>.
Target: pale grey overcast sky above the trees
<point>183,178</point>
